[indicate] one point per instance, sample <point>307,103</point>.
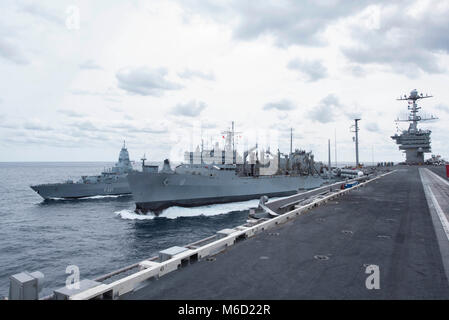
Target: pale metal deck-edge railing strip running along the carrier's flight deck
<point>155,267</point>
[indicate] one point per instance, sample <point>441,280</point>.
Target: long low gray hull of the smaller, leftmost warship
<point>81,190</point>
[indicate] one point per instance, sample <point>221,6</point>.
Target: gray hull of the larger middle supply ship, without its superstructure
<point>157,191</point>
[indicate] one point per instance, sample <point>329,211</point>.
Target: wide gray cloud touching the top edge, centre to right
<point>290,22</point>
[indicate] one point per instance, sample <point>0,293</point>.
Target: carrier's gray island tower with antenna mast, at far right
<point>415,142</point>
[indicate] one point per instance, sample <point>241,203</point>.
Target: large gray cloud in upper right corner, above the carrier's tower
<point>406,44</point>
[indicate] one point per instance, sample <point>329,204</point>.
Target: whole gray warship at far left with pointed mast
<point>110,182</point>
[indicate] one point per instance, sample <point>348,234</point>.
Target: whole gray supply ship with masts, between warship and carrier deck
<point>220,176</point>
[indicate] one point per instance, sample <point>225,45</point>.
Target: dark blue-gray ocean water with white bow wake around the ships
<point>98,234</point>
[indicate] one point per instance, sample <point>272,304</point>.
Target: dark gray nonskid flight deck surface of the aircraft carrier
<point>387,223</point>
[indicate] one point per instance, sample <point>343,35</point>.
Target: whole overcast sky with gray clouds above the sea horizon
<point>79,77</point>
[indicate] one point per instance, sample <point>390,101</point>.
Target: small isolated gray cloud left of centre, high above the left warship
<point>145,81</point>
